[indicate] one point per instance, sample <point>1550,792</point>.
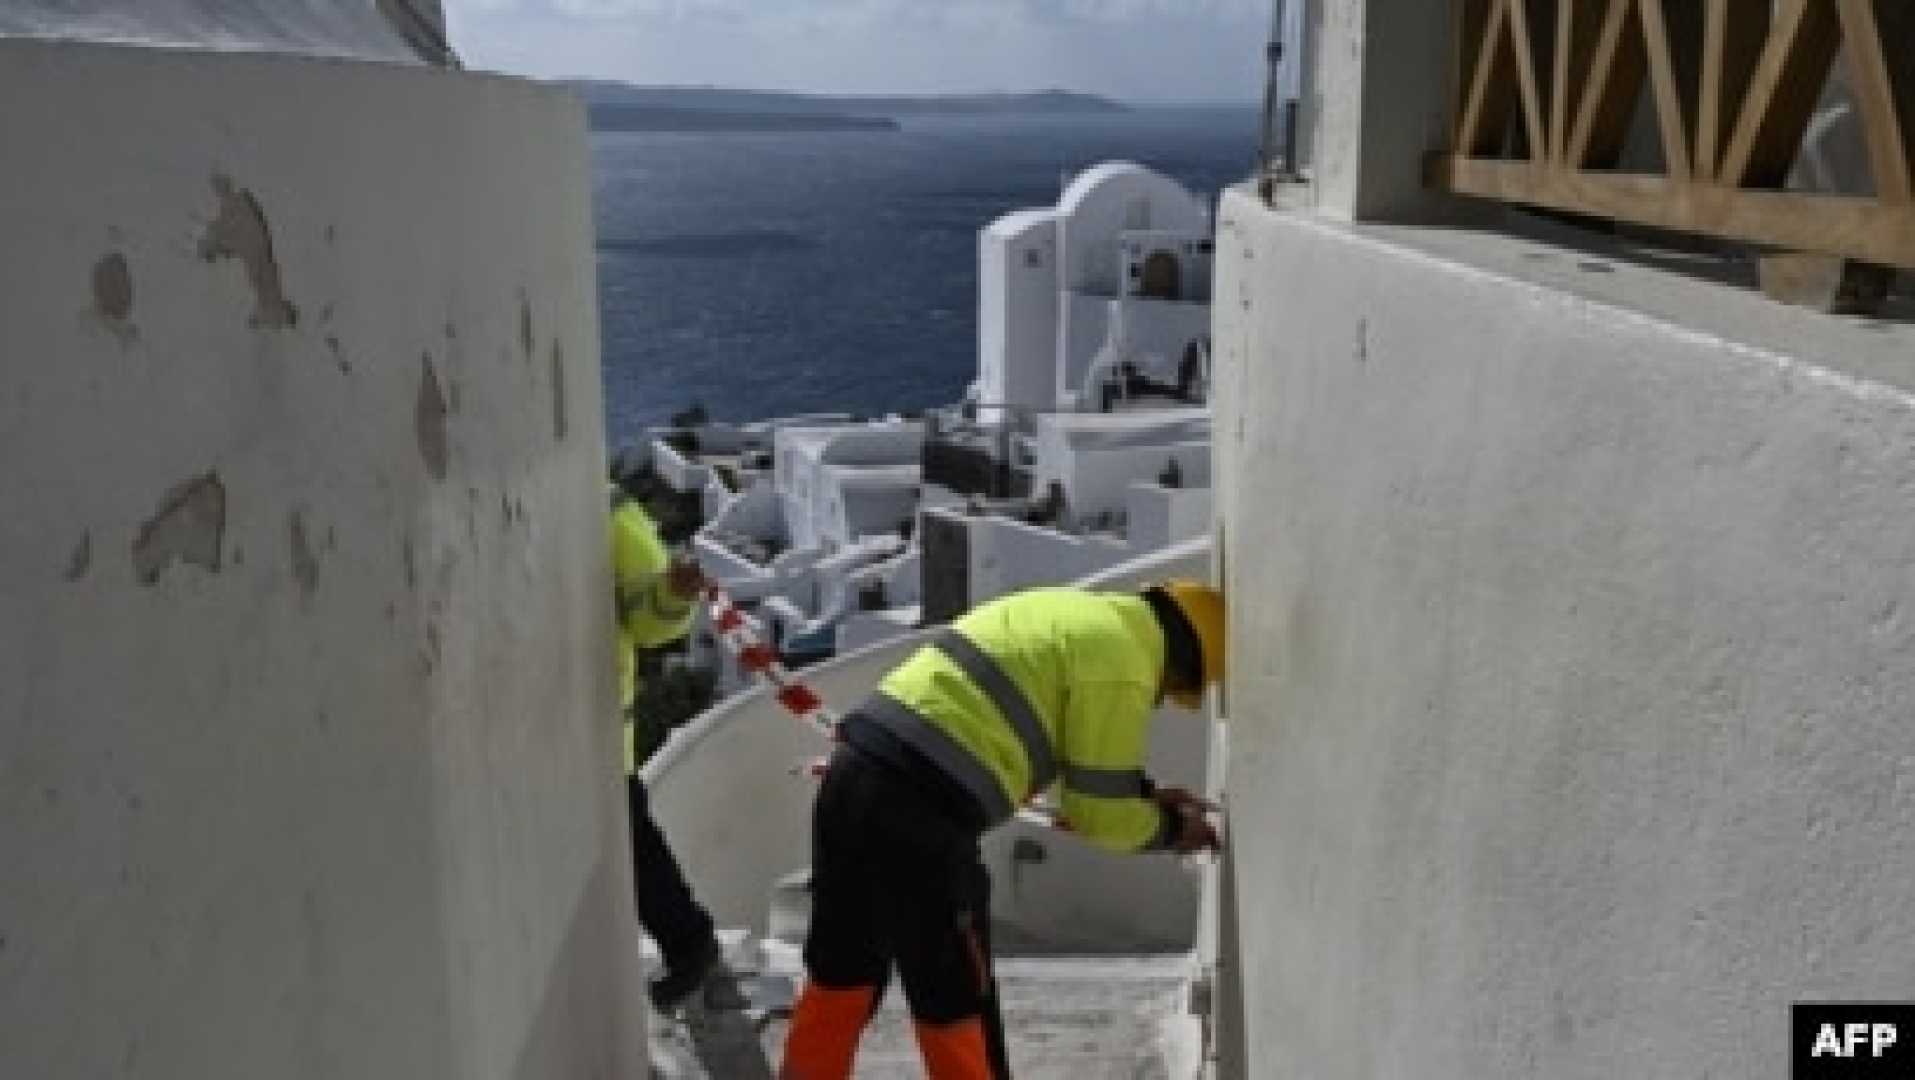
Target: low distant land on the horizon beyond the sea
<point>625,108</point>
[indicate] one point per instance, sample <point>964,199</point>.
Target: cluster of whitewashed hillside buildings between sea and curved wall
<point>1083,443</point>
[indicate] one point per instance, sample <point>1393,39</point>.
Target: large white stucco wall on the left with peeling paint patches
<point>307,746</point>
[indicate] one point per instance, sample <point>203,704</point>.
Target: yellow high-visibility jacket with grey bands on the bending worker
<point>1037,688</point>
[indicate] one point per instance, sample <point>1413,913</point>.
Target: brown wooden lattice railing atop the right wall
<point>1548,89</point>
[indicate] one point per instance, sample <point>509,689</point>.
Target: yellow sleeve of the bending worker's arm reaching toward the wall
<point>1106,798</point>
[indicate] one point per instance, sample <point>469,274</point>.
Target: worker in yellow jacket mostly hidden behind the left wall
<point>656,596</point>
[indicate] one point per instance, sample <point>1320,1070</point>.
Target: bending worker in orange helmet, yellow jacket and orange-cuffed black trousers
<point>1045,686</point>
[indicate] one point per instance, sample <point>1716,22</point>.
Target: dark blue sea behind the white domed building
<point>765,275</point>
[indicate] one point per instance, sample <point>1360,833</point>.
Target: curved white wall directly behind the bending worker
<point>736,817</point>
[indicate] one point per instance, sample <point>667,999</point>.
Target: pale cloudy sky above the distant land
<point>1142,51</point>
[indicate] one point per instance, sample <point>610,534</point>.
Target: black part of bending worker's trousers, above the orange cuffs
<point>897,880</point>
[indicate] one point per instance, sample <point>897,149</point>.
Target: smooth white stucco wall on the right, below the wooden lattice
<point>1573,608</point>
